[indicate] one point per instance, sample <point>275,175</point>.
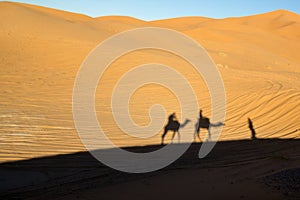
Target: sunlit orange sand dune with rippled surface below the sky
<point>42,49</point>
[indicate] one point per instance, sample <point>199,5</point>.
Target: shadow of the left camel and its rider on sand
<point>173,126</point>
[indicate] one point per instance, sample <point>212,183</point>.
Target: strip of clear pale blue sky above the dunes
<point>160,9</point>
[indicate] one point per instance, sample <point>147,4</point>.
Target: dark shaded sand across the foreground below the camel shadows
<point>234,169</point>
